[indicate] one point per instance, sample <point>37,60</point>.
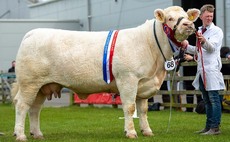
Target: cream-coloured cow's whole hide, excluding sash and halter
<point>49,59</point>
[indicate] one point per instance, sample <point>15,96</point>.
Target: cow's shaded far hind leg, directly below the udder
<point>34,115</point>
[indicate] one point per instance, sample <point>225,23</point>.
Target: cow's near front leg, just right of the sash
<point>128,90</point>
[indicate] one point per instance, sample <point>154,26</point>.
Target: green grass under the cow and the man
<point>92,124</point>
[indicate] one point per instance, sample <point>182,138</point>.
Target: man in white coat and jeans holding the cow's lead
<point>209,80</point>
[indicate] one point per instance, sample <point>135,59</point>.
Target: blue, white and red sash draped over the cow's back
<point>108,55</point>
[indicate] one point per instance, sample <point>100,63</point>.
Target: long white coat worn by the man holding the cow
<point>211,59</point>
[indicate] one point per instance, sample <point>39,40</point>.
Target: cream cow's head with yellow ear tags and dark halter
<point>179,22</point>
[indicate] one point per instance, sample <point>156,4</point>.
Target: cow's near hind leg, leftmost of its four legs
<point>23,101</point>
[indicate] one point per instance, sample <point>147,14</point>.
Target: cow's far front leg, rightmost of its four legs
<point>142,109</point>
